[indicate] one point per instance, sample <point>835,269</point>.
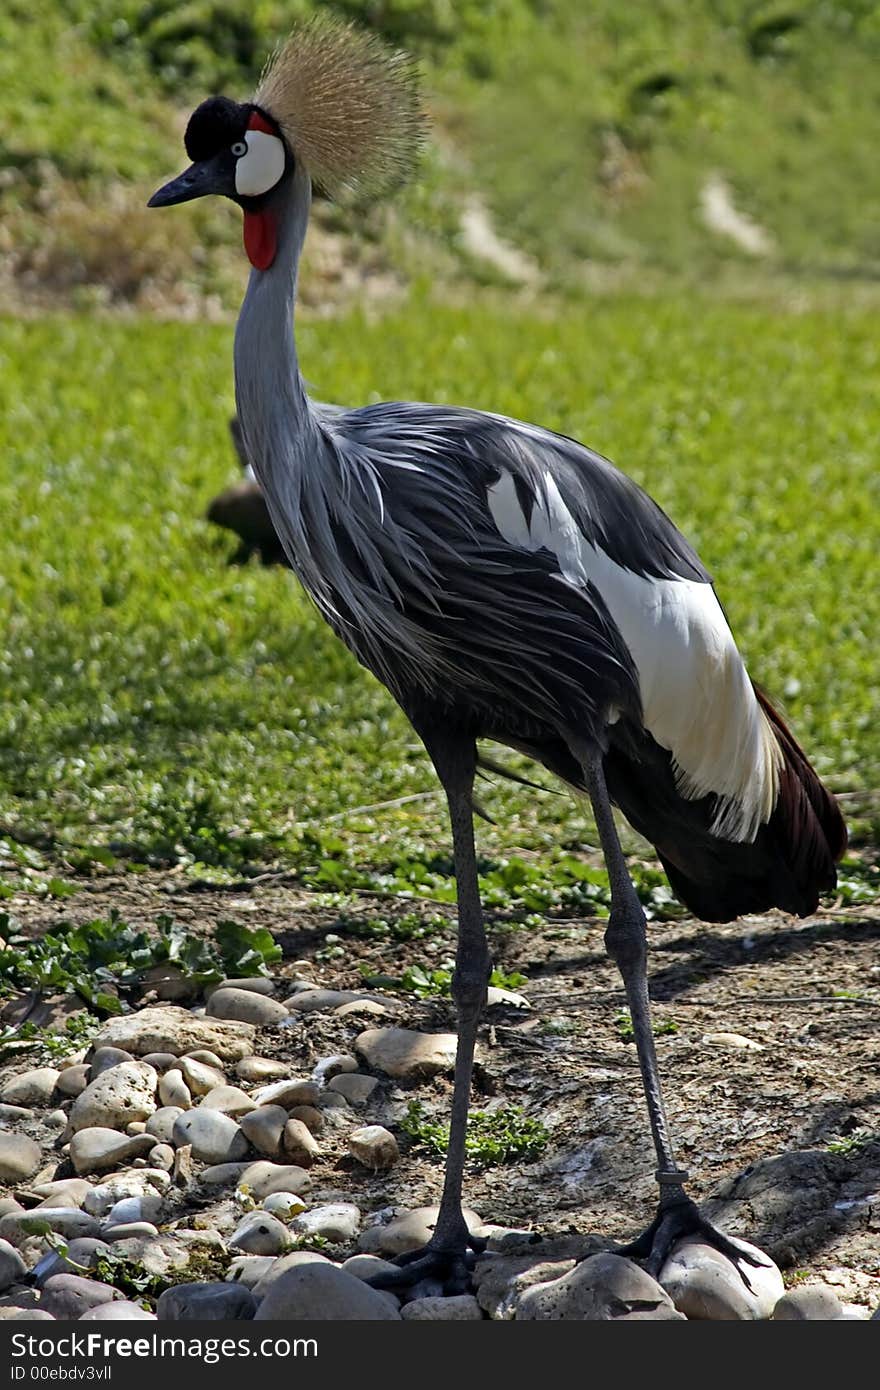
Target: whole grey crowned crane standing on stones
<point>504,583</point>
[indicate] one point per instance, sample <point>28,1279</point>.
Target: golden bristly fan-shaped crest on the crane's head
<point>348,106</point>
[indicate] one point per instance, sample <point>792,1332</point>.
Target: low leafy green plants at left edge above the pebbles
<point>106,958</point>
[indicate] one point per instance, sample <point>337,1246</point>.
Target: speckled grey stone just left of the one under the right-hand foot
<point>604,1288</point>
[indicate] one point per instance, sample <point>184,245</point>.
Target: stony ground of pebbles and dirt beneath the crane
<point>245,1156</point>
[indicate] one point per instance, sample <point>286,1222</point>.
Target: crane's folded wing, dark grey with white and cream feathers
<point>484,508</point>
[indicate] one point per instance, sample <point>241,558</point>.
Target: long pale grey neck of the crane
<point>279,425</point>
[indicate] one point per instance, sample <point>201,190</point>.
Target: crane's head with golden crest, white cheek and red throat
<point>334,101</point>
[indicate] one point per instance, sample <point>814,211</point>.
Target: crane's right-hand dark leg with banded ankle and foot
<point>626,942</point>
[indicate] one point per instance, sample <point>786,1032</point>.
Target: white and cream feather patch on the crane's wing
<point>697,698</point>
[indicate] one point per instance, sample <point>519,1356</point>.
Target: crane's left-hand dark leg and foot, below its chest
<point>448,1256</point>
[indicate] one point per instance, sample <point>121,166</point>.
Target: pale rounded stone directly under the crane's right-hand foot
<point>706,1284</point>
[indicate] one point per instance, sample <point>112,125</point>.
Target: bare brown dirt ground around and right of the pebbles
<point>782,1138</point>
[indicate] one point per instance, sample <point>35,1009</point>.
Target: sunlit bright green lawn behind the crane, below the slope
<point>159,704</point>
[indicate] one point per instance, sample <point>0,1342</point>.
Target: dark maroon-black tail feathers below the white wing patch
<point>789,865</point>
